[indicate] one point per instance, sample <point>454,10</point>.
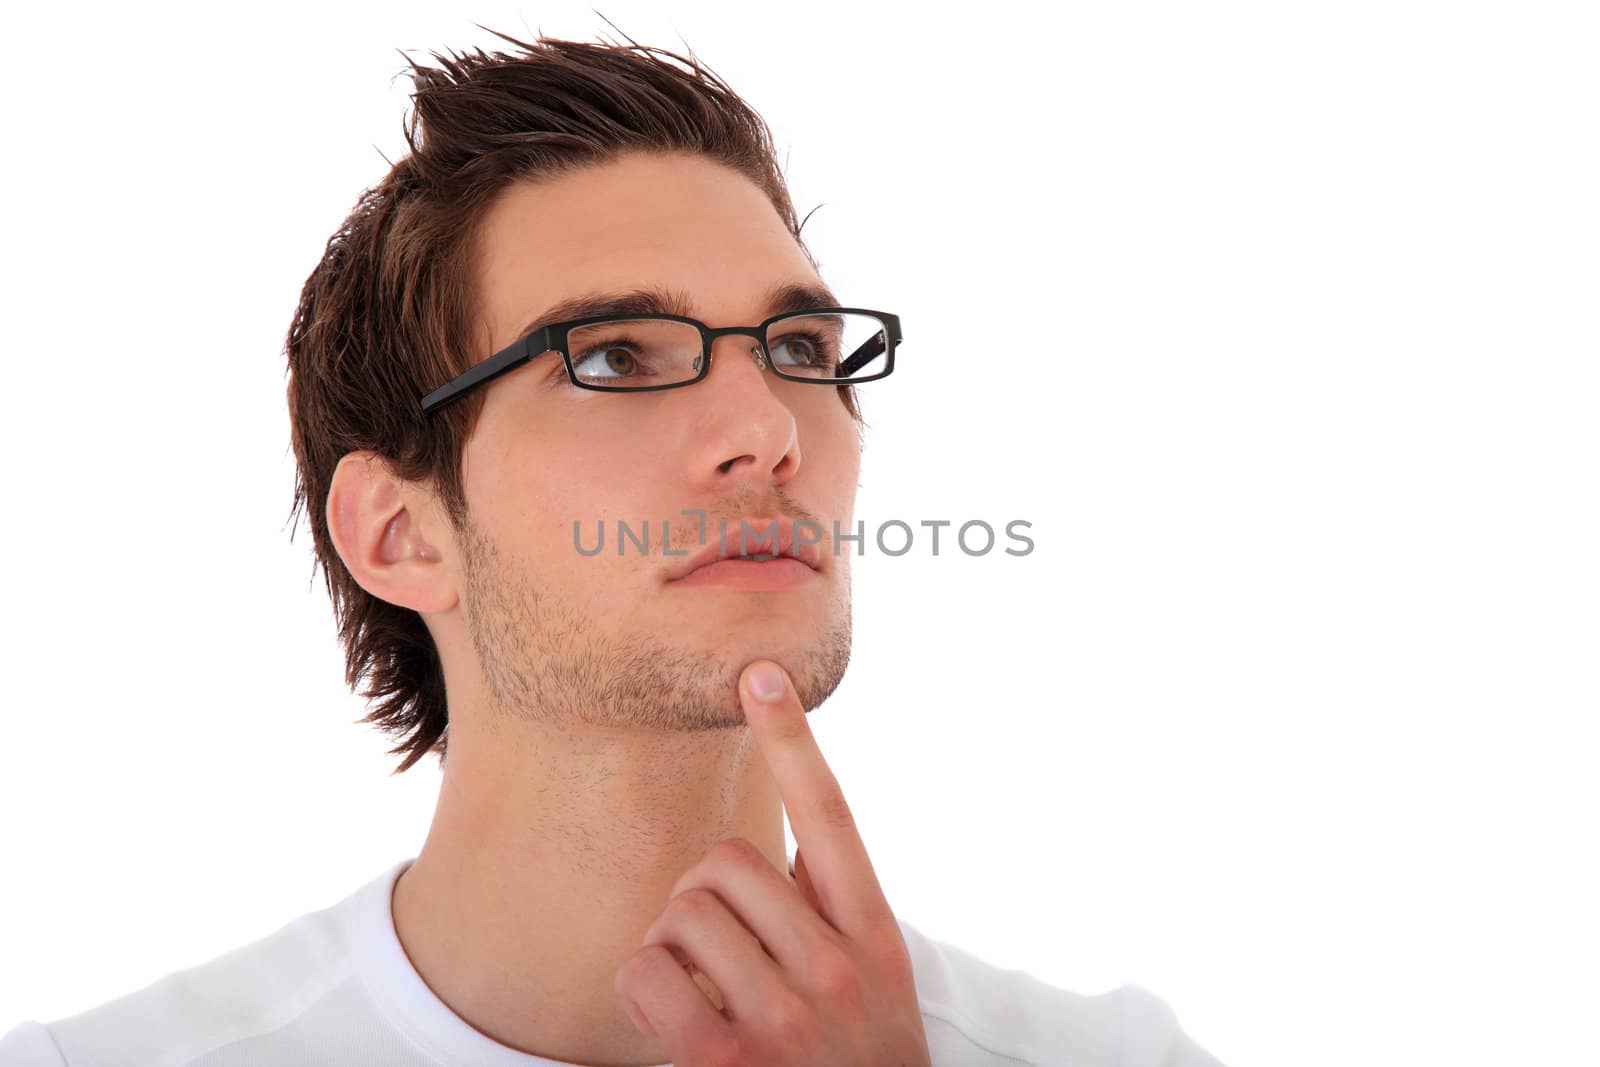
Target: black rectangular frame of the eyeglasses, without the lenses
<point>553,338</point>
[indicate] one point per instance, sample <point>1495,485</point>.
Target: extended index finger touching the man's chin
<point>825,828</point>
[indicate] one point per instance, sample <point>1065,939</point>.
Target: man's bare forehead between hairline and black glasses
<point>678,222</point>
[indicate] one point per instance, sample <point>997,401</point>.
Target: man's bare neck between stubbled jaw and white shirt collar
<point>553,850</point>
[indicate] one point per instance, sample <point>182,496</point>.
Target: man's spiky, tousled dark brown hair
<point>388,313</point>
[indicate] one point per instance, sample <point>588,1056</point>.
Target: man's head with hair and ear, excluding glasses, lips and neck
<point>449,538</point>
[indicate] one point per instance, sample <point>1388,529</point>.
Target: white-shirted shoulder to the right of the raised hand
<point>983,1015</point>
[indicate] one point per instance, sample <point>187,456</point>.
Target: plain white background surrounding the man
<point>1290,716</point>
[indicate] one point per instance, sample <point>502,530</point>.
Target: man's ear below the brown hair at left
<point>385,530</point>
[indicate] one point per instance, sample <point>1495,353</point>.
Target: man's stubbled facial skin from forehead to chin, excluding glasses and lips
<point>614,639</point>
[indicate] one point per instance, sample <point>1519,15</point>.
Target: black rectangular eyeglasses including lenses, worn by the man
<point>823,346</point>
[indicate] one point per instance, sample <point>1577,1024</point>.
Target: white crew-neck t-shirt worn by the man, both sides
<point>337,988</point>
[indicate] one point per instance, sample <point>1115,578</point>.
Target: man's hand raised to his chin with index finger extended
<point>807,975</point>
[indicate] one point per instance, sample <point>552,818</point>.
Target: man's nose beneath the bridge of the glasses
<point>743,434</point>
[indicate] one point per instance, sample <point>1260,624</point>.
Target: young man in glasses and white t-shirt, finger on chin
<point>474,402</point>
